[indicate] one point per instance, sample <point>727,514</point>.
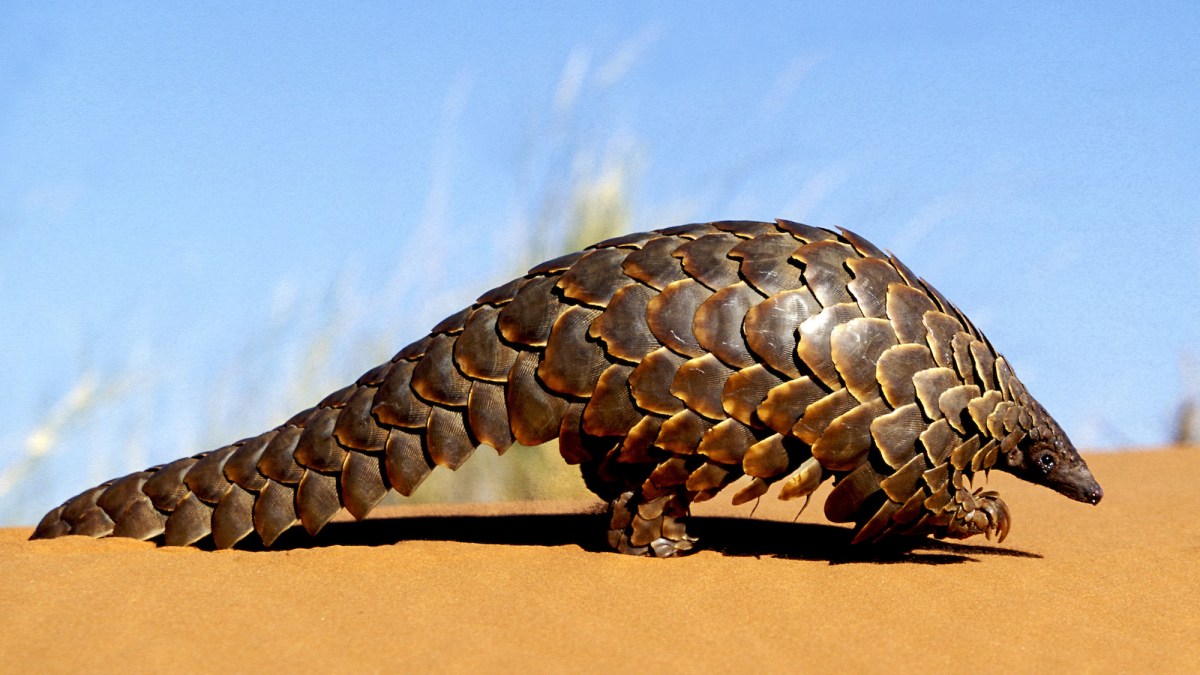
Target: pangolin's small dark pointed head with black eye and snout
<point>1047,457</point>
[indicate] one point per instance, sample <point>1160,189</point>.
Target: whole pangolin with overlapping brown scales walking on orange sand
<point>669,365</point>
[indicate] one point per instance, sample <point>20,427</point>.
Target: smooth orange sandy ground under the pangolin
<point>529,587</point>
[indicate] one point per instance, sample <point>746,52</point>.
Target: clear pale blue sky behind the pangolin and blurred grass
<point>167,175</point>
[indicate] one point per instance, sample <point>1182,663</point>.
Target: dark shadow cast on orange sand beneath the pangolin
<point>729,536</point>
